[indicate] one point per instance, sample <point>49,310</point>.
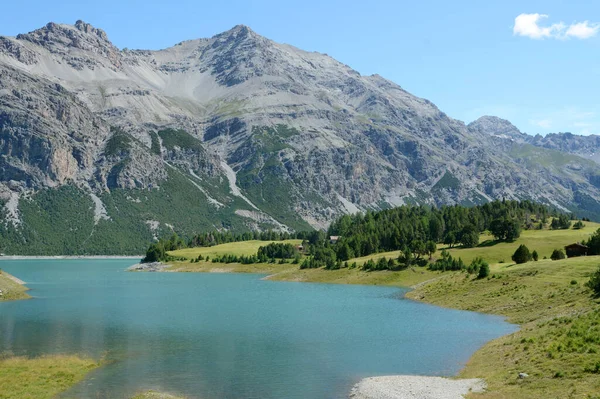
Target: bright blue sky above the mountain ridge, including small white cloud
<point>470,58</point>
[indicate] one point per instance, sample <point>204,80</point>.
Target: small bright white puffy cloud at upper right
<point>528,25</point>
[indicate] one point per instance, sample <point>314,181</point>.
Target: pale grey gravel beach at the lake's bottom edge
<point>415,387</point>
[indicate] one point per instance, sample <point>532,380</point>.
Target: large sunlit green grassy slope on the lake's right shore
<point>559,341</point>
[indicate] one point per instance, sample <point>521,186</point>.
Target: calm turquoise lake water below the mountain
<point>214,336</point>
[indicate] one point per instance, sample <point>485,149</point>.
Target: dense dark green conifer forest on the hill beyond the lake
<point>417,229</point>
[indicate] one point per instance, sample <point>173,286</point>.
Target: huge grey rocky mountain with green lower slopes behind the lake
<point>102,149</point>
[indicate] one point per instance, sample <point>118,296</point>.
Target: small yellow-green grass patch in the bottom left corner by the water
<point>43,377</point>
